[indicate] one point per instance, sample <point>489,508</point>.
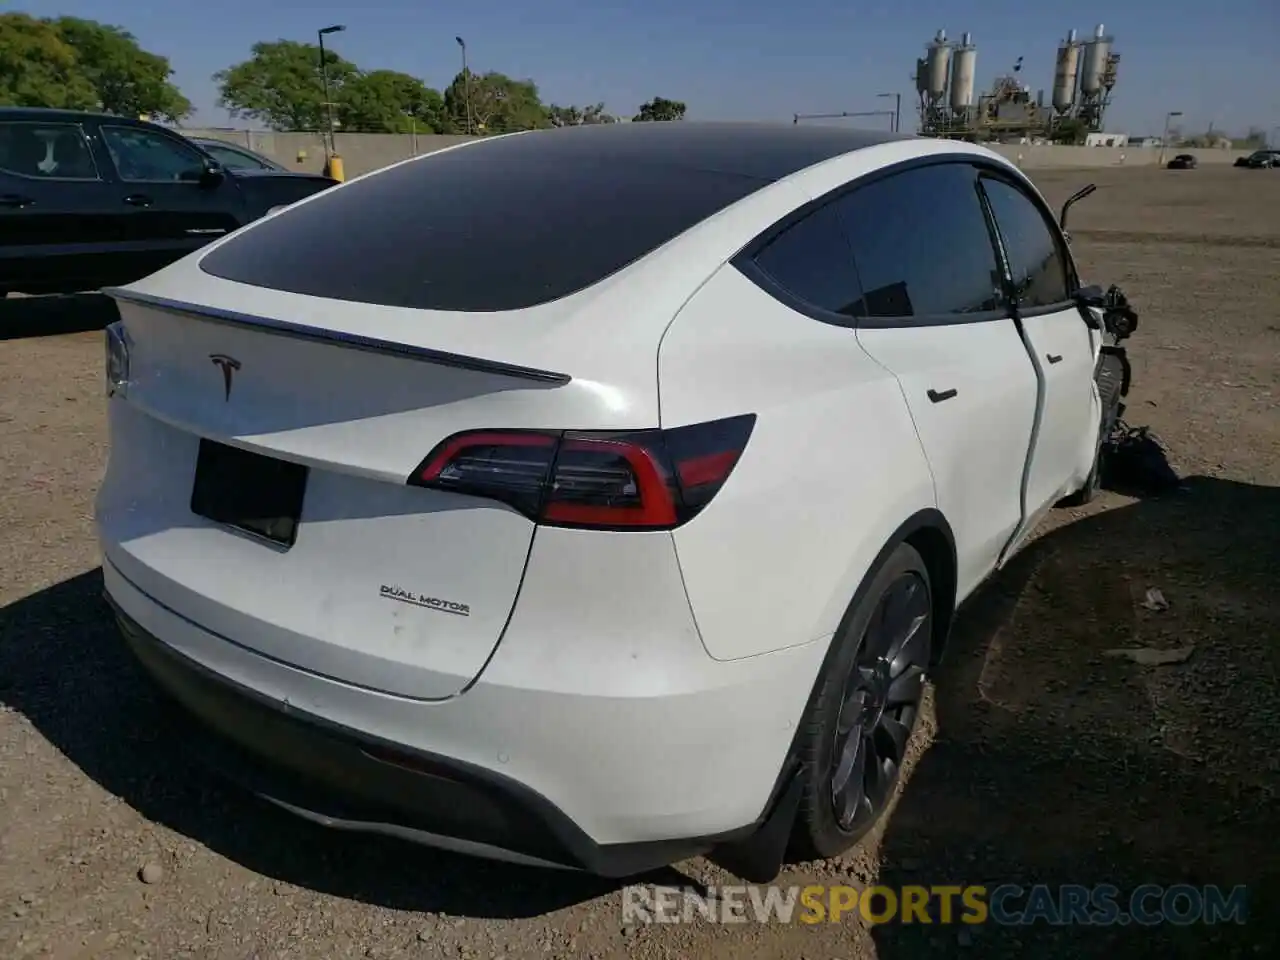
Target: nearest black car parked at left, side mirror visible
<point>90,200</point>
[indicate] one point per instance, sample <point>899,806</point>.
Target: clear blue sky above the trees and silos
<point>742,60</point>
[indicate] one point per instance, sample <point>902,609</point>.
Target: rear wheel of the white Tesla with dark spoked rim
<point>866,708</point>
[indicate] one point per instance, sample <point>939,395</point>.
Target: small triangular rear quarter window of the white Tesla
<point>812,262</point>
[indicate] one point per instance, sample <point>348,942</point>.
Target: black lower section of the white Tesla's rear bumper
<point>345,779</point>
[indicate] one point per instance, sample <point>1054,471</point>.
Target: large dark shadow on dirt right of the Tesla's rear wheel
<point>1059,765</point>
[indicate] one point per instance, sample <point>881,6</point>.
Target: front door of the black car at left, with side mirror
<point>164,208</point>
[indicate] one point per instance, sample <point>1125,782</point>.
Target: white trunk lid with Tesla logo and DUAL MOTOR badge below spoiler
<point>395,588</point>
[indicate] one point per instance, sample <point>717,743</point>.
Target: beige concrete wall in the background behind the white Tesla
<point>363,153</point>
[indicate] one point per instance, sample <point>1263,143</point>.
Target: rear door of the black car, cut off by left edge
<point>56,226</point>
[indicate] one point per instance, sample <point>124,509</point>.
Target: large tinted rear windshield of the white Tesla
<point>499,226</point>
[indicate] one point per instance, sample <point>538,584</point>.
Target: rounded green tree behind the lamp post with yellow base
<point>281,85</point>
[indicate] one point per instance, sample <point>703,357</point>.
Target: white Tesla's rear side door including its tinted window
<point>934,316</point>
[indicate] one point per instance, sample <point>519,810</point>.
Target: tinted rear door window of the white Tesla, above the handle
<point>922,245</point>
